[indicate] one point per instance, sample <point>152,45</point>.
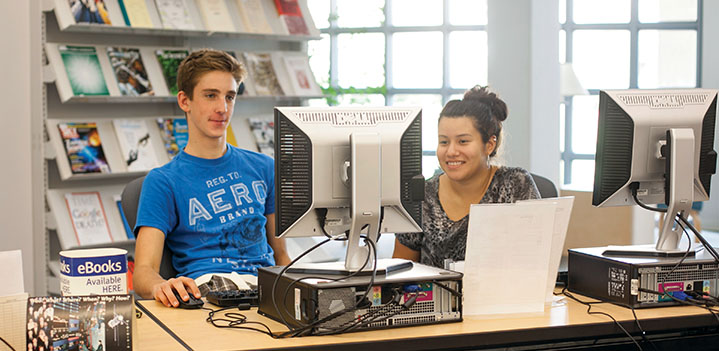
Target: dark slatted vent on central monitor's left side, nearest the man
<point>293,167</point>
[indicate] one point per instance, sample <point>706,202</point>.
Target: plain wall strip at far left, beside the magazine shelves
<point>19,23</point>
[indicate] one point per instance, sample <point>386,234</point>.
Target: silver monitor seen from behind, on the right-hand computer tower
<point>658,143</point>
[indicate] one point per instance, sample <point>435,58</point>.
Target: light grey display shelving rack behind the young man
<point>61,106</point>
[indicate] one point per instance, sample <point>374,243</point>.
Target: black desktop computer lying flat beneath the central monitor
<point>436,292</point>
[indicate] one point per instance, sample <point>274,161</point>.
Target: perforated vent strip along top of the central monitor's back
<point>353,118</point>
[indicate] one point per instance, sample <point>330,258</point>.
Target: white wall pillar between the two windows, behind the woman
<point>524,71</point>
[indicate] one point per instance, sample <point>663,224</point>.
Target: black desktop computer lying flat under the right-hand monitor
<point>618,279</point>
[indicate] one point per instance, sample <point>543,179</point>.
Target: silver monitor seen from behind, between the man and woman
<point>348,170</point>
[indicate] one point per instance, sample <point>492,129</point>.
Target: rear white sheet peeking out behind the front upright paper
<point>559,235</point>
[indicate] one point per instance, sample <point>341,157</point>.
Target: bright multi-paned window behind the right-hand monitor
<point>620,44</point>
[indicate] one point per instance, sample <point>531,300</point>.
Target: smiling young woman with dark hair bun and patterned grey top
<point>470,132</point>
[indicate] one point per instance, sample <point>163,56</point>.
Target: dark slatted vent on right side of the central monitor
<point>410,166</point>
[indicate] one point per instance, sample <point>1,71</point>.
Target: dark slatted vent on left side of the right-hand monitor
<point>614,149</point>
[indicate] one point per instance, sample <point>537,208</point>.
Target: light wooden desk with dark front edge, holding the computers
<point>565,321</point>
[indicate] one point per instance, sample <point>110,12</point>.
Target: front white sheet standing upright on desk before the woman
<point>508,248</point>
